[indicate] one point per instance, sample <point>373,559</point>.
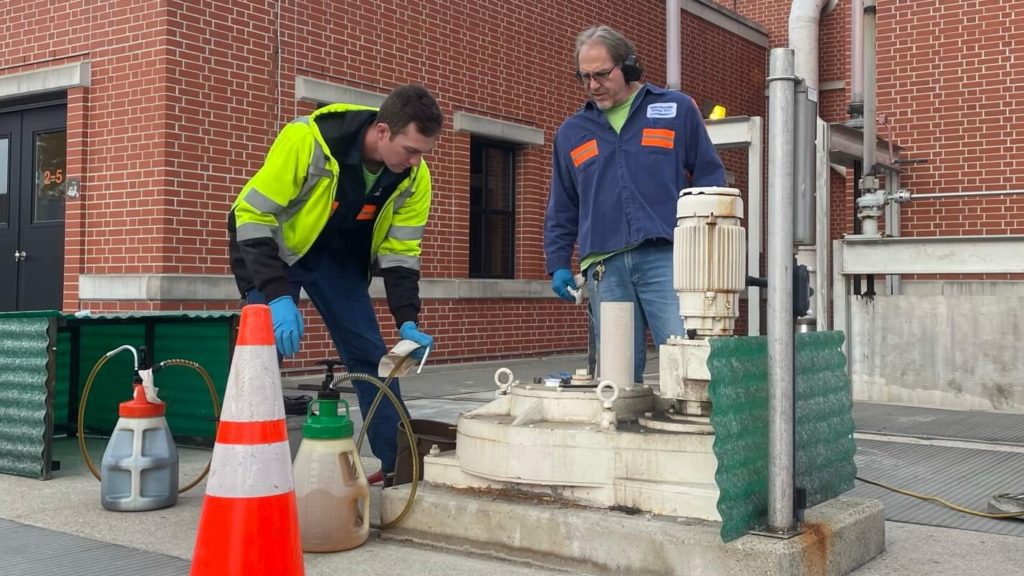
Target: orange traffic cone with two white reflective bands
<point>249,524</point>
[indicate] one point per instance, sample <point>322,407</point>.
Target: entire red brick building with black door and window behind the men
<point>131,128</point>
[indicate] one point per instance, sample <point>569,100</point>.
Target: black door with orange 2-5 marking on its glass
<point>33,188</point>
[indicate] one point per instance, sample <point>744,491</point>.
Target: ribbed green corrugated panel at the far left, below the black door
<point>24,379</point>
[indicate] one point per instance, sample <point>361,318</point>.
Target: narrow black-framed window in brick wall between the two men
<point>492,210</point>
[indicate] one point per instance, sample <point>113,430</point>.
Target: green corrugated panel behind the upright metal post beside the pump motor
<point>824,433</point>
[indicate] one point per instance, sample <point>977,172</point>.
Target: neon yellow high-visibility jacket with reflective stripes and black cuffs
<point>285,208</point>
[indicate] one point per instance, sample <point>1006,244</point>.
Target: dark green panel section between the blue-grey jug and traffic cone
<point>190,412</point>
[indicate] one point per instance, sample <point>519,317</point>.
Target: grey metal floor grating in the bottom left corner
<point>28,550</point>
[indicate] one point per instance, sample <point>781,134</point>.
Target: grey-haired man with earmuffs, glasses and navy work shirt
<point>619,166</point>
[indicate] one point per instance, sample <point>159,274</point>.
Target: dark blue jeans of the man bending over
<point>339,289</point>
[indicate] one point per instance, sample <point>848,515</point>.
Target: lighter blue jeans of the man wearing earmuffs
<point>642,276</point>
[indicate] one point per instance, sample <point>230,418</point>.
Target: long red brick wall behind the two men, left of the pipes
<point>187,97</point>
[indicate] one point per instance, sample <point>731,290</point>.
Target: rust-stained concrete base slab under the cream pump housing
<point>839,537</point>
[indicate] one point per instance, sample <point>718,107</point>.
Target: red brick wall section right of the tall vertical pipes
<point>953,78</point>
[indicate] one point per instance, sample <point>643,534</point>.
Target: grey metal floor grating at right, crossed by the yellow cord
<point>966,477</point>
